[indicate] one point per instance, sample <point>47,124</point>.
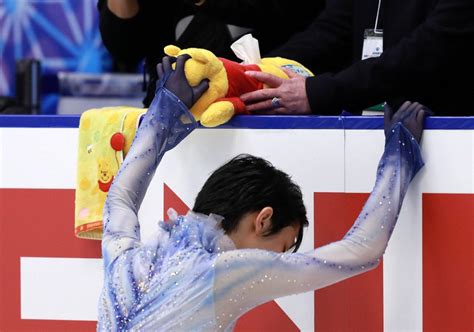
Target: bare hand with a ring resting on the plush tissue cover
<point>283,96</point>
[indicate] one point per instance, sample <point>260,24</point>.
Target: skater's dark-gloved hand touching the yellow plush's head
<point>177,82</point>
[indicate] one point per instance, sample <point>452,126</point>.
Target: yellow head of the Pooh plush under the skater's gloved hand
<point>203,65</point>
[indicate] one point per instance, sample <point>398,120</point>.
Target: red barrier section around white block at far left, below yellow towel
<point>36,223</point>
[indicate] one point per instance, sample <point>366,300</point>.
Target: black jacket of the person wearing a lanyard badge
<point>428,55</point>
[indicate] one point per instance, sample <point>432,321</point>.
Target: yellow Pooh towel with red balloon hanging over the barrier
<point>105,137</point>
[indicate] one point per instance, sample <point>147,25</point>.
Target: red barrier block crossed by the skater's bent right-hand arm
<point>355,304</point>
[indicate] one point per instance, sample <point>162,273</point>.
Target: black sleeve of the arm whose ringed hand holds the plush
<point>418,64</point>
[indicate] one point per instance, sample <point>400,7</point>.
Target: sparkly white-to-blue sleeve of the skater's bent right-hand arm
<point>246,278</point>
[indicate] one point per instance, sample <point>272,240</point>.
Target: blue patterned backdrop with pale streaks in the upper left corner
<point>63,34</point>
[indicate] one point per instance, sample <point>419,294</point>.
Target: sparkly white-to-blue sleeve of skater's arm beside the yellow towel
<point>166,123</point>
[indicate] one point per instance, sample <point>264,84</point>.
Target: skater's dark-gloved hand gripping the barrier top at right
<point>411,115</point>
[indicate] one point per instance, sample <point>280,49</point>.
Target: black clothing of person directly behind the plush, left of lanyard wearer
<point>145,35</point>
